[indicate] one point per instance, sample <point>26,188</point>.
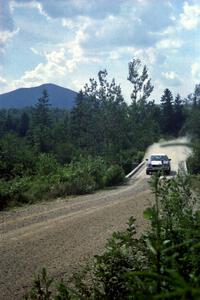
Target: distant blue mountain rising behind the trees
<point>23,97</point>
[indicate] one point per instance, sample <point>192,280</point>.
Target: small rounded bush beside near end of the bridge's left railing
<point>114,175</point>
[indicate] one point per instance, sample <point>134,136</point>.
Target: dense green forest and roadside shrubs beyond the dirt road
<point>47,152</point>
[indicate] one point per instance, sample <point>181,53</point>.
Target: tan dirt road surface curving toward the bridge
<point>67,233</point>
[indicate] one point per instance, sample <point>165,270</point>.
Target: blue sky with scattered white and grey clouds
<point>66,42</point>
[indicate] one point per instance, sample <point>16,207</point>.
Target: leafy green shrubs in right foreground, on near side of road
<point>163,263</point>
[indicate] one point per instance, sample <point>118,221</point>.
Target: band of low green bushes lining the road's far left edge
<point>51,181</point>
